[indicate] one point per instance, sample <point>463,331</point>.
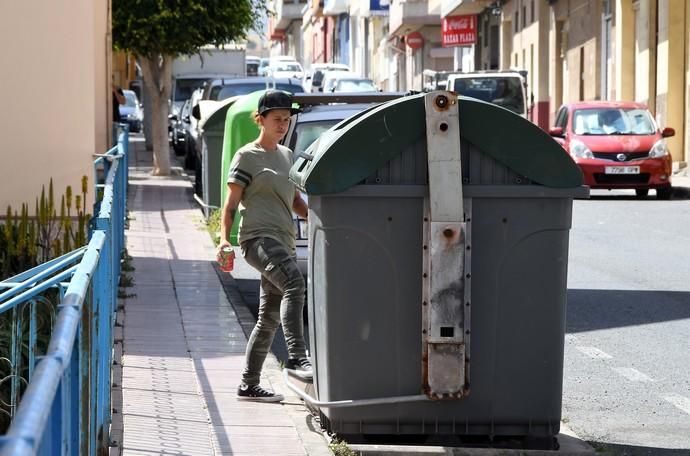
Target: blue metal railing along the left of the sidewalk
<point>65,408</point>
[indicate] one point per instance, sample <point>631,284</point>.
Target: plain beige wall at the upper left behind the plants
<point>56,114</point>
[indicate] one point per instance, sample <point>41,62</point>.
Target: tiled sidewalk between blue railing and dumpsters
<point>182,345</point>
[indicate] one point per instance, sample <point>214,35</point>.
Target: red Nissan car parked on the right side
<point>617,145</point>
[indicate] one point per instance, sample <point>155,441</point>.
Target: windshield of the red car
<point>613,121</point>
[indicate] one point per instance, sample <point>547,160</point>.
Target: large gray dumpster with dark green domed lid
<point>413,254</point>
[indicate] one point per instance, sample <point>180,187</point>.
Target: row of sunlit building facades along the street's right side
<point>571,49</point>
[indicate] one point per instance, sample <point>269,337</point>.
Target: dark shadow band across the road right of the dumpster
<point>601,309</point>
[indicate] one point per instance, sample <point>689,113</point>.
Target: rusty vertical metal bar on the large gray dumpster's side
<point>445,306</point>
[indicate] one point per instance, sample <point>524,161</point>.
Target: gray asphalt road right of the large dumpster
<point>627,357</point>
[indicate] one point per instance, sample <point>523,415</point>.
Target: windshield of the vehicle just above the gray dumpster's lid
<point>506,92</point>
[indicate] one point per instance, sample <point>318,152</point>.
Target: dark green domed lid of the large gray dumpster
<point>356,147</point>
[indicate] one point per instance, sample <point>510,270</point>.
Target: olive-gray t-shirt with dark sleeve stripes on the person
<point>266,205</point>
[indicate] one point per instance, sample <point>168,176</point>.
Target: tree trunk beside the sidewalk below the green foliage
<point>157,73</point>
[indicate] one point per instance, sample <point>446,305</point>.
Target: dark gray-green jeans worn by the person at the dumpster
<point>281,301</point>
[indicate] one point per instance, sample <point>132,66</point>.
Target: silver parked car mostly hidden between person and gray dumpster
<point>319,113</point>
